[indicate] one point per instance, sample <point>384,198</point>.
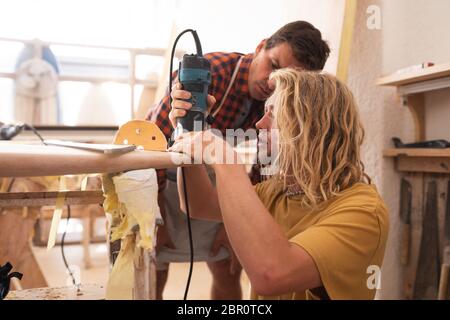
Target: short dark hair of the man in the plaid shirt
<point>306,43</point>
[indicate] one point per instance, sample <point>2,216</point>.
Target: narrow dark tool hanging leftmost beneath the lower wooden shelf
<point>405,217</point>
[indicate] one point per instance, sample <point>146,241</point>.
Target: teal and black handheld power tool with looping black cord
<point>194,74</point>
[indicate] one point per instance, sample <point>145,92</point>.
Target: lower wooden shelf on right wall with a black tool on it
<point>420,160</point>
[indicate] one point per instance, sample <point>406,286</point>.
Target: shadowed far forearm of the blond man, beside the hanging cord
<point>202,195</point>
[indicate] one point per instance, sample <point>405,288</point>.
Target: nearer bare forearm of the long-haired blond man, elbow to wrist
<point>273,264</point>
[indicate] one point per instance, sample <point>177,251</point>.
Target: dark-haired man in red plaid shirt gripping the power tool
<point>245,77</point>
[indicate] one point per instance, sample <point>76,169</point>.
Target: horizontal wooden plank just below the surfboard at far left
<point>38,199</point>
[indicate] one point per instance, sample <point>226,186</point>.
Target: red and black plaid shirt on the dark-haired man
<point>222,67</point>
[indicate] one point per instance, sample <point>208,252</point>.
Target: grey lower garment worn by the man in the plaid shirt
<point>203,234</point>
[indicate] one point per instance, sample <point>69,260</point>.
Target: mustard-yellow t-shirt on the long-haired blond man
<point>345,236</point>
